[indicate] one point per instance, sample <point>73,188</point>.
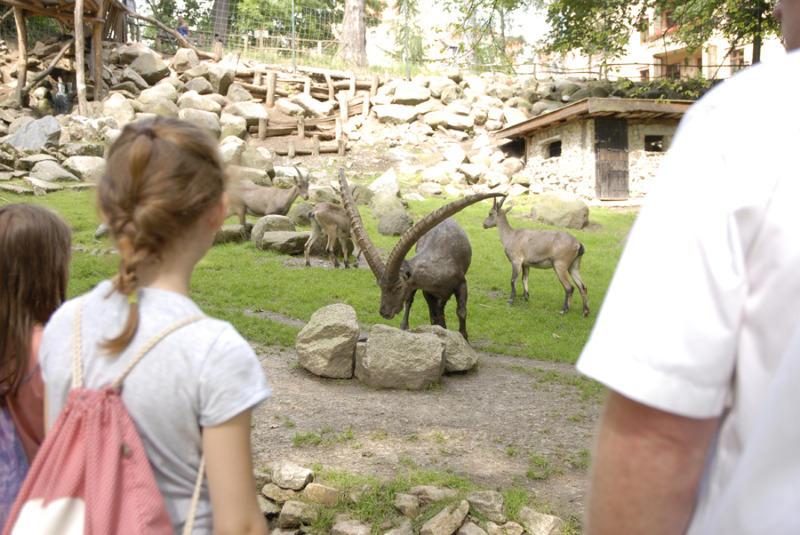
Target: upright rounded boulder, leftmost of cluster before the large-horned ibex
<point>326,345</point>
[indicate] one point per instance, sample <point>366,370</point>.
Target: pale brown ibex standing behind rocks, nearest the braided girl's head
<point>247,197</point>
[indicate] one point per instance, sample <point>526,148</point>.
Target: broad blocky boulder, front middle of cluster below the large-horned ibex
<point>399,359</point>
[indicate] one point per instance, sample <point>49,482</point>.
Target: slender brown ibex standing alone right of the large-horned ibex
<point>541,249</point>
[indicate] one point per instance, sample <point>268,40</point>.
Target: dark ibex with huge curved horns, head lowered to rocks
<point>439,267</point>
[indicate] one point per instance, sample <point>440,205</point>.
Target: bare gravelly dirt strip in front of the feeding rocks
<point>513,421</point>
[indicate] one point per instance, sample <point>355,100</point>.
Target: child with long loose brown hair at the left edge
<point>34,271</point>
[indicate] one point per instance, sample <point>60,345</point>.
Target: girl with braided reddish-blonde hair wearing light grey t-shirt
<point>163,197</point>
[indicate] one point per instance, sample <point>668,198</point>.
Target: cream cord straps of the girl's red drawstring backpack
<point>77,381</point>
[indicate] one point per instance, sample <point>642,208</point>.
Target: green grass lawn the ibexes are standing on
<point>236,281</point>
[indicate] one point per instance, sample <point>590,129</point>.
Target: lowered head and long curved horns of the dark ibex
<point>394,276</point>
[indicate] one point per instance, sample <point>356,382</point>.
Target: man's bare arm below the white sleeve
<point>646,468</point>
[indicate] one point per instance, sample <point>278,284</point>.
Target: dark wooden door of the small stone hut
<point>611,153</point>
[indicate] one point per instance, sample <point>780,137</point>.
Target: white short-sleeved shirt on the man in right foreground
<point>702,314</point>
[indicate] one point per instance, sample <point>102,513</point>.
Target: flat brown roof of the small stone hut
<point>626,108</point>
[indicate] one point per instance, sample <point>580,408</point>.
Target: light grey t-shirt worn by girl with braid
<point>201,375</point>
